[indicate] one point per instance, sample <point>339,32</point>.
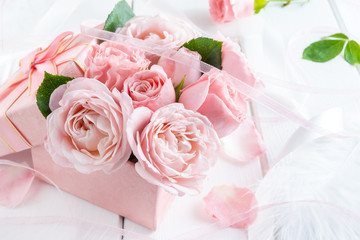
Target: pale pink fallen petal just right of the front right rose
<point>244,144</point>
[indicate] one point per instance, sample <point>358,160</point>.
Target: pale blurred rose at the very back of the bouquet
<point>159,30</point>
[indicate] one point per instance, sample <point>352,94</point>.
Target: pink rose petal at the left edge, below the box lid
<point>15,183</point>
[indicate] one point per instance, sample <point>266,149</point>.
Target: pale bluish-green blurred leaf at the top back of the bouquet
<point>121,13</point>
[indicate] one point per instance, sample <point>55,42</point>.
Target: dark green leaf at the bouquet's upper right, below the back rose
<point>209,49</point>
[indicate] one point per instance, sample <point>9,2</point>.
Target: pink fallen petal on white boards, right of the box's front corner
<point>231,205</point>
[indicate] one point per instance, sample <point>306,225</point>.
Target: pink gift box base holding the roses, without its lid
<point>123,192</point>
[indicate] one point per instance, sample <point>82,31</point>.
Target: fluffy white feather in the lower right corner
<point>316,192</point>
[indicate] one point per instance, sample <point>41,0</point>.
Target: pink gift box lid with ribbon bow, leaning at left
<point>22,124</point>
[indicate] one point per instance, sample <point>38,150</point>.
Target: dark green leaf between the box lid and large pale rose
<point>50,83</point>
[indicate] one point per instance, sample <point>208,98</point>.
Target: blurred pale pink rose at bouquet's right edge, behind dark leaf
<point>235,62</point>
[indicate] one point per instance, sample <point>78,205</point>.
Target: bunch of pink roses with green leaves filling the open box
<point>161,109</point>
